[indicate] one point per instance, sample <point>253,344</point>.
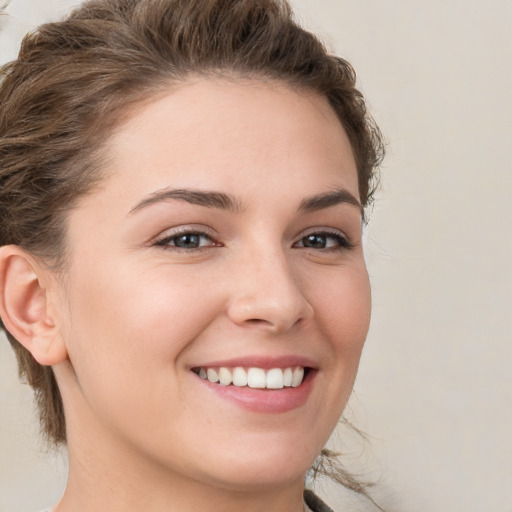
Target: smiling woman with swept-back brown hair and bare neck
<point>182,274</point>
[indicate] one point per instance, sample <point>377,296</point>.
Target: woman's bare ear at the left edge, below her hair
<point>26,307</point>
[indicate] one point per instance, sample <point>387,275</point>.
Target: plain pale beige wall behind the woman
<point>434,389</point>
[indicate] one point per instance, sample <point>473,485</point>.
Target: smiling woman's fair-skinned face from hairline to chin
<point>226,235</point>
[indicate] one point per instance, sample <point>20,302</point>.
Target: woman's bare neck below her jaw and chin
<point>101,479</point>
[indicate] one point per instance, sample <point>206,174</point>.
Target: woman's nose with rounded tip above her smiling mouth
<point>266,294</point>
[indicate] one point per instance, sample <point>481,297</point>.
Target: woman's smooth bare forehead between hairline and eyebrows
<point>230,135</point>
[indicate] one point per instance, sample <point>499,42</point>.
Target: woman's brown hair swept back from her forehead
<point>73,79</point>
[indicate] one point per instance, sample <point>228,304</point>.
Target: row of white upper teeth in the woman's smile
<point>275,378</point>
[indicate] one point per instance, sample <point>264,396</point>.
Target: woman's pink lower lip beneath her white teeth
<point>270,401</point>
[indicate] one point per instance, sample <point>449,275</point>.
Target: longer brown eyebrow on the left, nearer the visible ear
<point>208,199</point>
